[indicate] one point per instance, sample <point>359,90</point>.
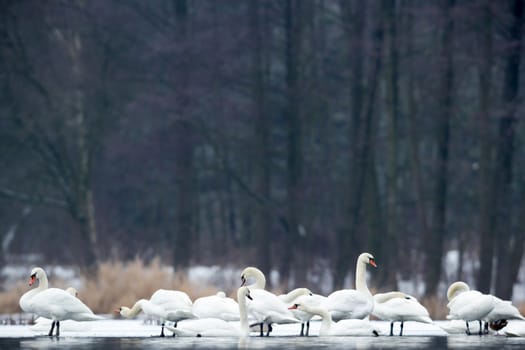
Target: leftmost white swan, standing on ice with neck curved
<point>55,304</point>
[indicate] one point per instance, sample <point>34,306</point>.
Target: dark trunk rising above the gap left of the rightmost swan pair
<point>434,243</point>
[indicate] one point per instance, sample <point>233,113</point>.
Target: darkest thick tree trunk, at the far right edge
<point>508,240</point>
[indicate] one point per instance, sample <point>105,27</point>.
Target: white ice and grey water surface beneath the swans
<point>135,334</point>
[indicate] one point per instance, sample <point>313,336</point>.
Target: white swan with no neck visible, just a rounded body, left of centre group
<point>216,306</point>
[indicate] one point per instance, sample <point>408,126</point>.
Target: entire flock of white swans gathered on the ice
<point>344,312</point>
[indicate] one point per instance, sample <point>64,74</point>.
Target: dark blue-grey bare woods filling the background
<point>285,134</point>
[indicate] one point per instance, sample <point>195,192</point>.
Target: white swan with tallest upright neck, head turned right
<point>353,303</point>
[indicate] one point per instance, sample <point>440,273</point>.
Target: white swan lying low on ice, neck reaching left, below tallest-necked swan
<point>348,327</point>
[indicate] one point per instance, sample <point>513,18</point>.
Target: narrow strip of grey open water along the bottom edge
<point>279,342</point>
